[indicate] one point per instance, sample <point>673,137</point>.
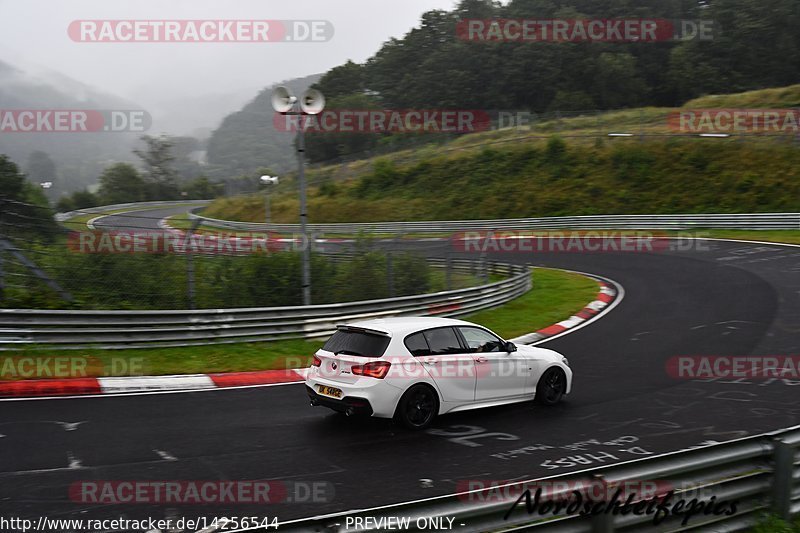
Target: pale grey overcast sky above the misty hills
<point>34,33</point>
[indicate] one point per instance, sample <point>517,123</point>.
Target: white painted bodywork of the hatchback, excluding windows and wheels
<point>462,380</point>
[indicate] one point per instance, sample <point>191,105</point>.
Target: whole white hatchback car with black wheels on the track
<point>413,369</point>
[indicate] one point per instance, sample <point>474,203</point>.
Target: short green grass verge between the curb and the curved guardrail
<point>555,296</point>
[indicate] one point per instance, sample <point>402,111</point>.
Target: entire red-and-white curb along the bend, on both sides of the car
<point>195,382</point>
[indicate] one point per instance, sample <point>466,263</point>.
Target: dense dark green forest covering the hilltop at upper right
<point>755,45</point>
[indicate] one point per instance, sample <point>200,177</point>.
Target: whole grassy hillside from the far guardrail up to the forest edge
<point>514,173</point>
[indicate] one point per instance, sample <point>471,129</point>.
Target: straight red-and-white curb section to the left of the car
<point>118,385</point>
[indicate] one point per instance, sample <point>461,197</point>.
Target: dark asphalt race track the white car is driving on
<point>718,298</point>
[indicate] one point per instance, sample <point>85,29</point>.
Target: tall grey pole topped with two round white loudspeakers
<point>311,103</point>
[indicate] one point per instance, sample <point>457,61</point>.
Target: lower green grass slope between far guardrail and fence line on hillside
<point>550,178</point>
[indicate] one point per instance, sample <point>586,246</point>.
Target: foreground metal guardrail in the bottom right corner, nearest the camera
<point>761,473</point>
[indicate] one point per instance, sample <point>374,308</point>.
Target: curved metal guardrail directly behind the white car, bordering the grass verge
<point>134,329</point>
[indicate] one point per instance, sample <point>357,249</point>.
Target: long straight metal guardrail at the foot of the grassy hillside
<point>756,221</point>
